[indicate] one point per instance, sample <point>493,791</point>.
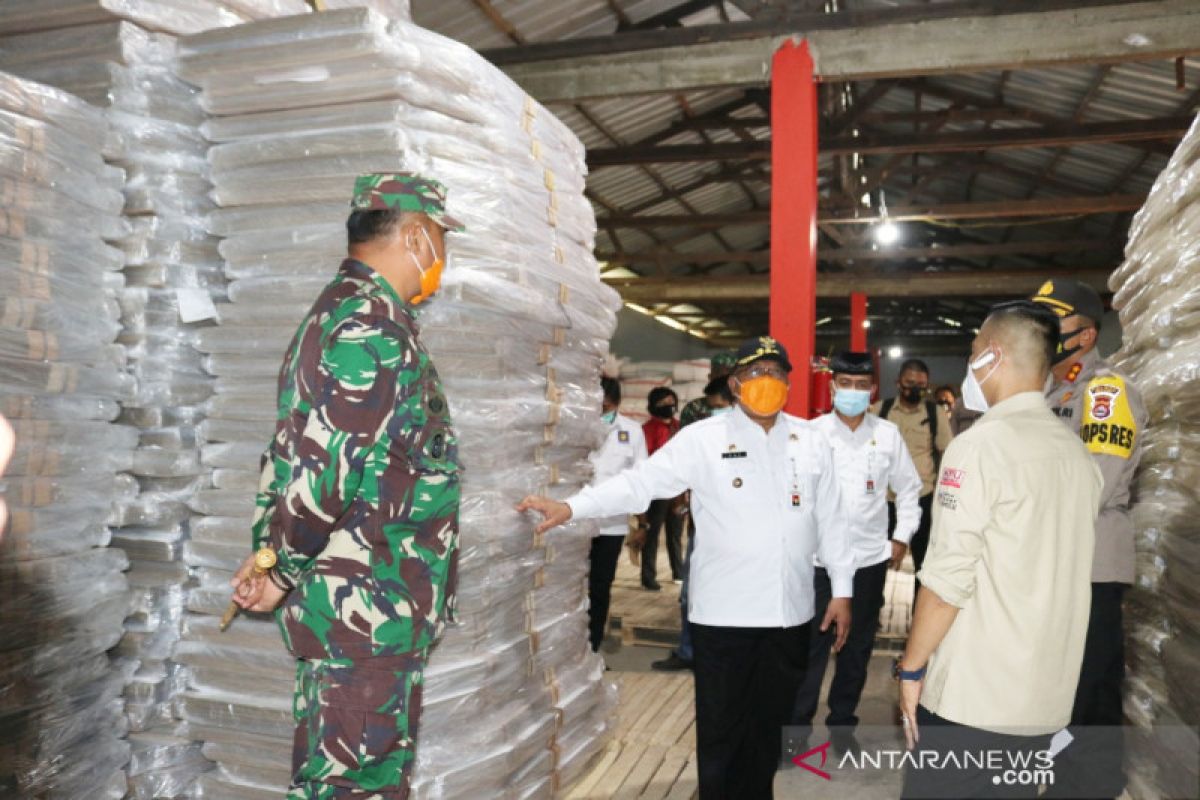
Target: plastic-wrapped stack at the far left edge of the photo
<point>63,593</point>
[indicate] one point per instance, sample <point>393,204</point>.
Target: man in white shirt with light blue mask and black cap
<point>871,459</point>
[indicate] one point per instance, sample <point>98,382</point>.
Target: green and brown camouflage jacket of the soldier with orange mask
<point>361,486</point>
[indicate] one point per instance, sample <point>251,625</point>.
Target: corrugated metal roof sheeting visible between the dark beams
<point>1126,92</point>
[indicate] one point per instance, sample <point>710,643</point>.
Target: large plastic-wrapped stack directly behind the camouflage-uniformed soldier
<point>514,700</point>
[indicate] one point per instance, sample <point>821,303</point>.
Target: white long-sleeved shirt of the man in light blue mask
<point>871,461</point>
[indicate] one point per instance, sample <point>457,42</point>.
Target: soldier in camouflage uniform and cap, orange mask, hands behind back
<point>359,498</point>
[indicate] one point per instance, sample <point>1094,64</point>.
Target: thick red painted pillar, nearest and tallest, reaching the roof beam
<point>794,215</point>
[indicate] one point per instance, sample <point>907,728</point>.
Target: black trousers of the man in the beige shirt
<point>971,779</point>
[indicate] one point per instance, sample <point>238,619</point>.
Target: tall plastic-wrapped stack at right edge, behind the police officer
<point>1157,292</point>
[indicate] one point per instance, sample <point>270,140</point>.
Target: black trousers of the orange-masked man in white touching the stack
<point>747,679</point>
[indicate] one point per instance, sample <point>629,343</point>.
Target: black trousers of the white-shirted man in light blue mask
<point>850,675</point>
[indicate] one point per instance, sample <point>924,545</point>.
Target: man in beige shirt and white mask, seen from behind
<point>1003,615</point>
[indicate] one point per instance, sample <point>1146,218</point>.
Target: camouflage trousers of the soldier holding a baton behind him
<point>356,729</point>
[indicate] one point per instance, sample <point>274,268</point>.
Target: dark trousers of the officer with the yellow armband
<point>1091,766</point>
